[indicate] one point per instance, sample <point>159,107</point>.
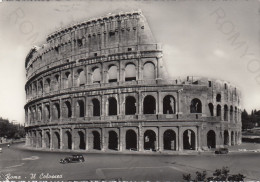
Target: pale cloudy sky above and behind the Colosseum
<point>200,38</point>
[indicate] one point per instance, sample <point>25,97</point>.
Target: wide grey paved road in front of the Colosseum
<point>17,163</point>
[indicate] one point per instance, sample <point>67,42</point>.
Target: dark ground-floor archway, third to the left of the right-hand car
<point>169,140</point>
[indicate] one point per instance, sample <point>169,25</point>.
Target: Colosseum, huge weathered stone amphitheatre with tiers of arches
<point>100,85</point>
